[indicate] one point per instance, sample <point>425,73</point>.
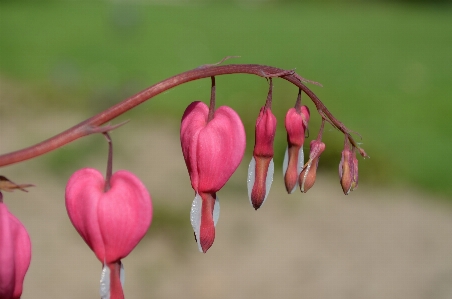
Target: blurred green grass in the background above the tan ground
<point>385,68</point>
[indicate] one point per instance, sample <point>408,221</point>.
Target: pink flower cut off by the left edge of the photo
<point>15,253</point>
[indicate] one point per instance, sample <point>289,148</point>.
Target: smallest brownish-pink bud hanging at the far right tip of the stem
<point>348,169</point>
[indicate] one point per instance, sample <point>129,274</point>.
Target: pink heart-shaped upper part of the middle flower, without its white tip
<point>212,150</point>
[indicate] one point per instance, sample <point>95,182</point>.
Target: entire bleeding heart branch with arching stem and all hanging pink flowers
<point>113,214</point>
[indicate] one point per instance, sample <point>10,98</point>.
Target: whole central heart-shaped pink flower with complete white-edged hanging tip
<point>212,151</point>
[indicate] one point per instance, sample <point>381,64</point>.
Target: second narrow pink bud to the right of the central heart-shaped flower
<point>296,123</point>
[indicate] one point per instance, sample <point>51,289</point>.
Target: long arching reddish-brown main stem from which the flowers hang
<point>89,126</point>
